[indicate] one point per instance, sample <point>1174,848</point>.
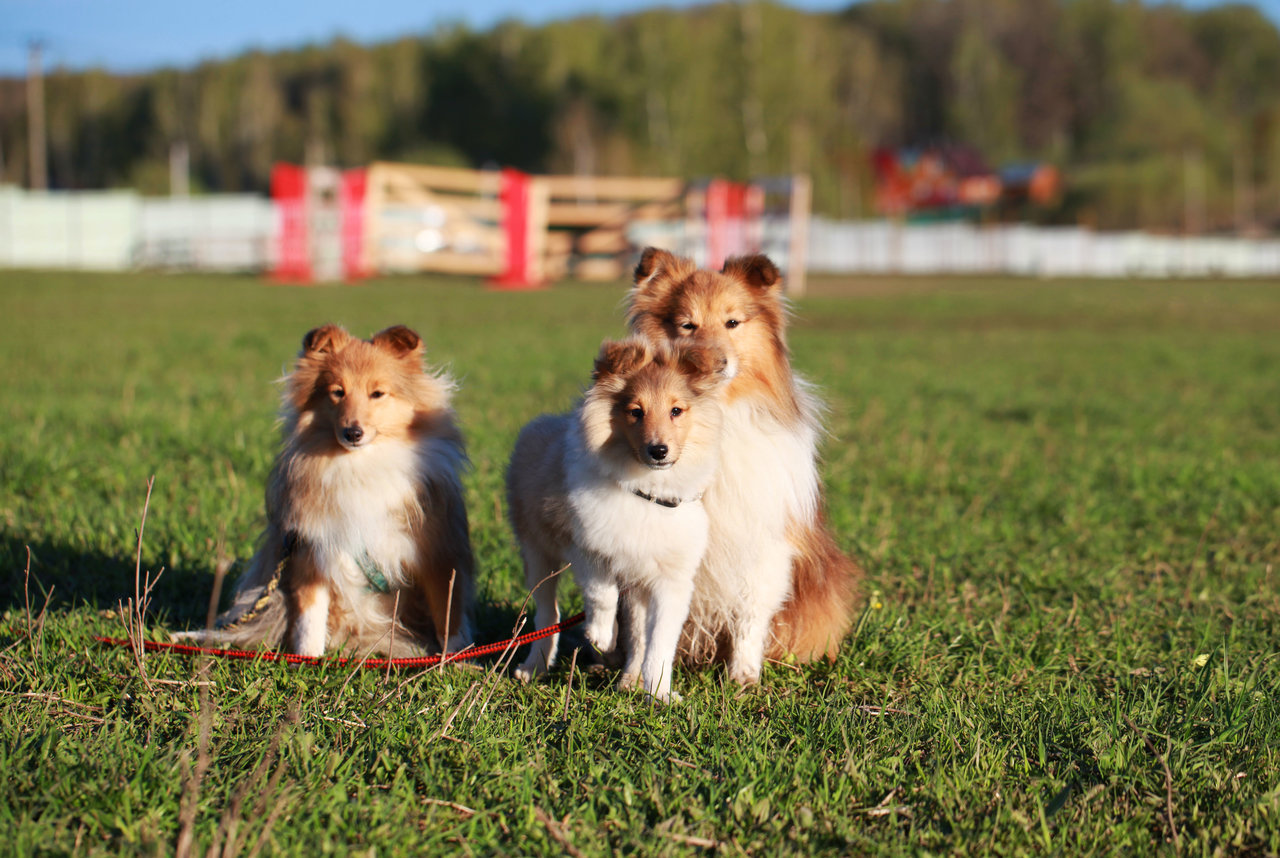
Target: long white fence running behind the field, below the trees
<point>121,230</point>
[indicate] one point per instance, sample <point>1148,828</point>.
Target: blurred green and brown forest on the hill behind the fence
<point>1158,116</point>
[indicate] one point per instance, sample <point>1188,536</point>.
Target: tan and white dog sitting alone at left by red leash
<point>367,545</point>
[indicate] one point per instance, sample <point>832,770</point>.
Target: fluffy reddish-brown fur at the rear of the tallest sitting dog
<point>820,613</point>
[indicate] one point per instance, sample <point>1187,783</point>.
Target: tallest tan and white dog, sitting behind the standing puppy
<point>774,582</point>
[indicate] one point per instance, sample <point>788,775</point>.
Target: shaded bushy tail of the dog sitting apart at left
<point>257,615</point>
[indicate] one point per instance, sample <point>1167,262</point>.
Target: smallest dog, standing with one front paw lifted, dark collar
<point>614,490</point>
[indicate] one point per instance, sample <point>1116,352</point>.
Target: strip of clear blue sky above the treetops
<point>135,35</point>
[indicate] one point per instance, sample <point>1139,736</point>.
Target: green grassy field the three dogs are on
<point>1067,498</point>
